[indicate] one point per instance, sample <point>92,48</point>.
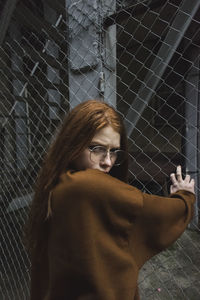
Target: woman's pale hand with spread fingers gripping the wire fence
<point>178,183</point>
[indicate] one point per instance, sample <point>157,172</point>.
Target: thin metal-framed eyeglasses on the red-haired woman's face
<point>99,153</point>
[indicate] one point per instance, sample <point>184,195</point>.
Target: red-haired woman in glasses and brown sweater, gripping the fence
<point>89,231</point>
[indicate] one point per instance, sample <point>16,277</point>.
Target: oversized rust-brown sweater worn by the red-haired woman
<point>101,232</point>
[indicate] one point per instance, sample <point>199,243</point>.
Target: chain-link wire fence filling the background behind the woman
<point>143,58</point>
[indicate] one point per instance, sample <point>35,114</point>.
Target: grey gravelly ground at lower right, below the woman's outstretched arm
<point>174,273</point>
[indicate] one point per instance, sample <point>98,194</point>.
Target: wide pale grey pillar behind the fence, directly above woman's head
<point>91,53</point>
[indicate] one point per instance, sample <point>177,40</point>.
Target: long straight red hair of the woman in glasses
<point>76,133</point>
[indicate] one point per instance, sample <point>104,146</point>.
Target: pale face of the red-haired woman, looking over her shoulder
<point>106,137</point>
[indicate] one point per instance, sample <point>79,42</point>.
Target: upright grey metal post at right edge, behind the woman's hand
<point>192,116</point>
